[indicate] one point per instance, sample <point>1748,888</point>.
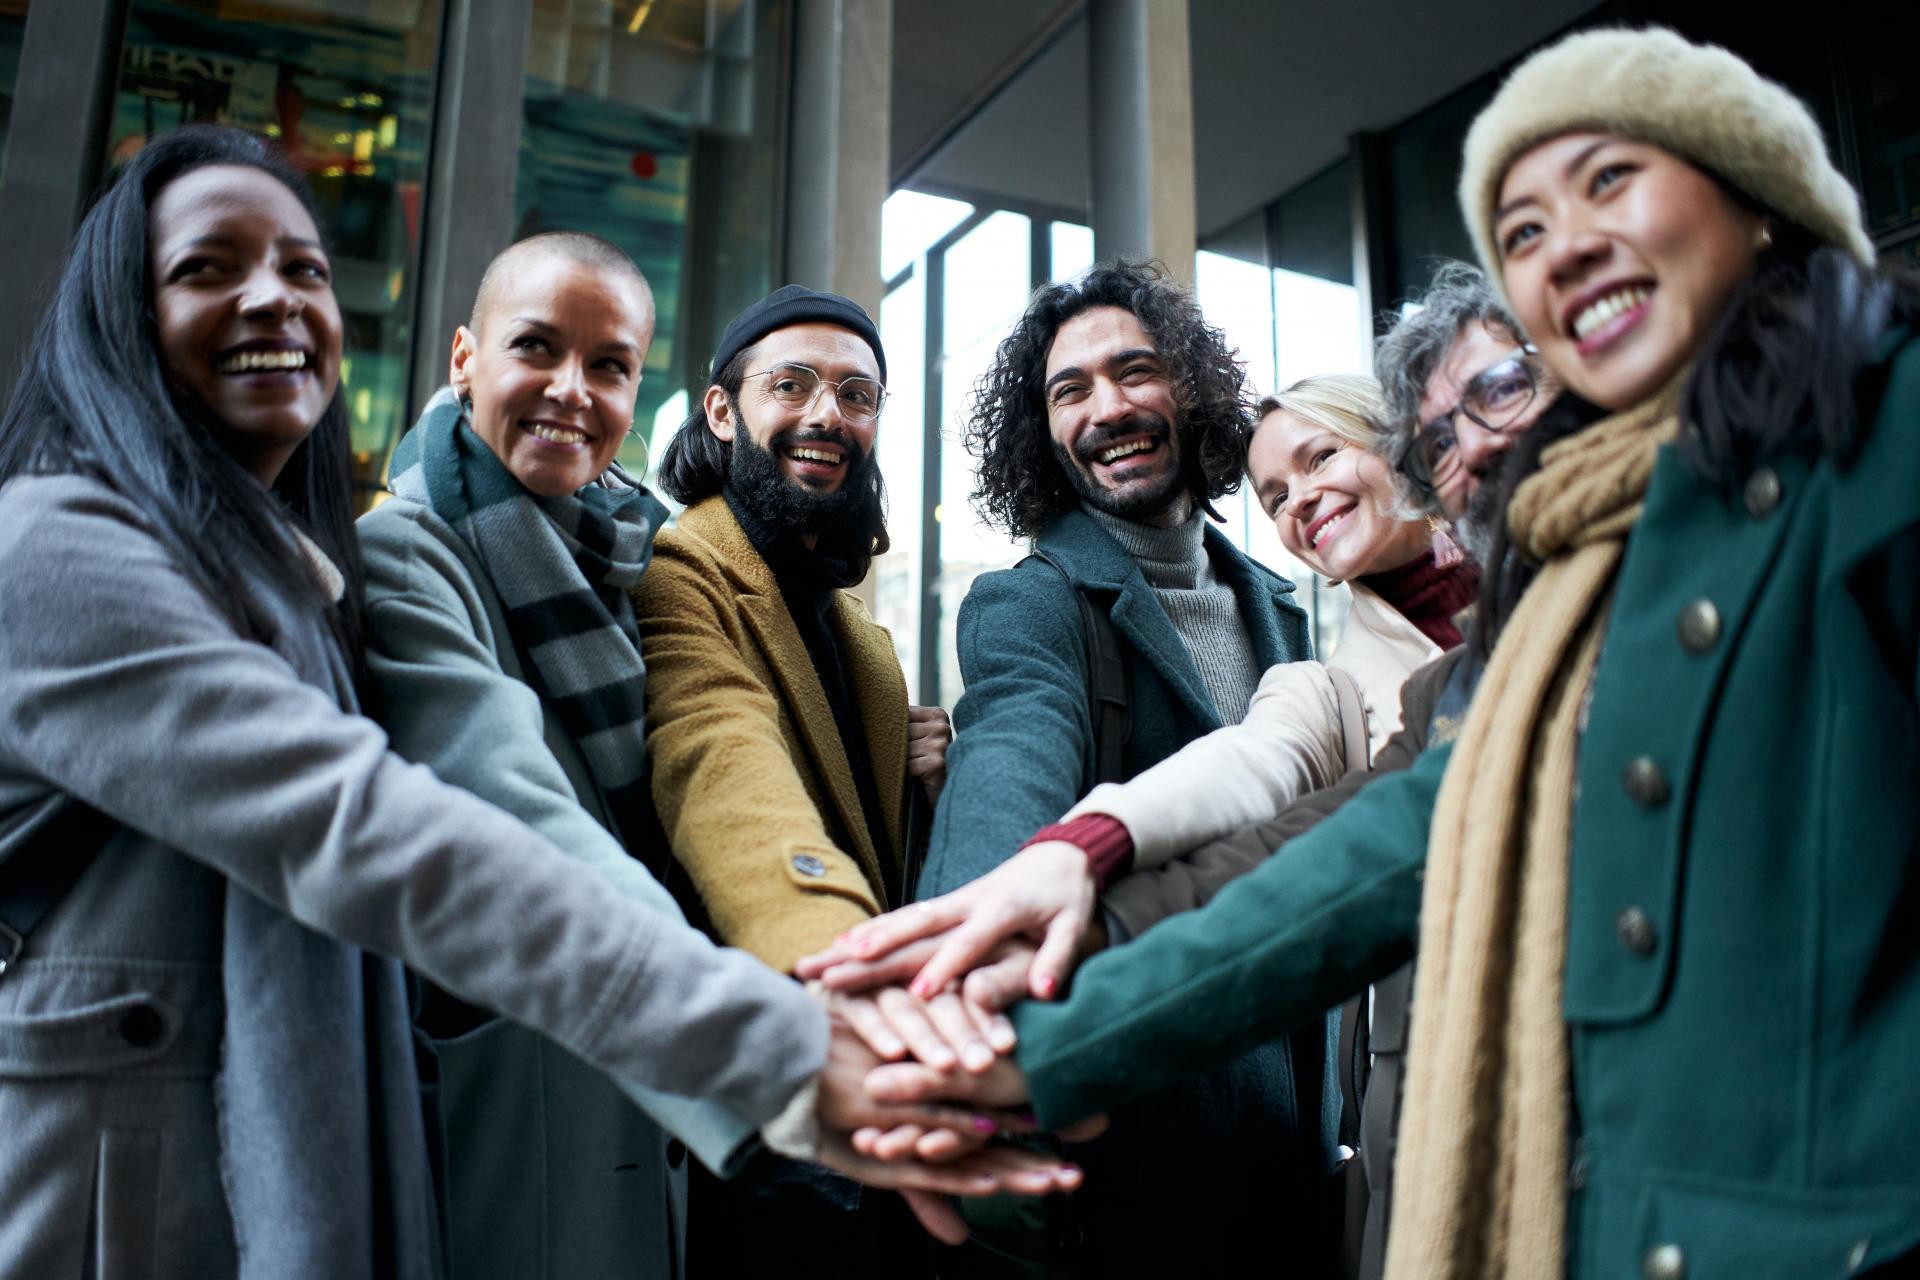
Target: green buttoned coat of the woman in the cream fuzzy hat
<point>1748,1066</point>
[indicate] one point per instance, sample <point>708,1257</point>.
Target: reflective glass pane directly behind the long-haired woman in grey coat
<point>347,89</point>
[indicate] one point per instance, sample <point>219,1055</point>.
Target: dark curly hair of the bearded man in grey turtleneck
<point>1020,485</point>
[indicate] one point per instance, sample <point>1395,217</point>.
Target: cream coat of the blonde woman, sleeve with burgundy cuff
<point>1289,744</point>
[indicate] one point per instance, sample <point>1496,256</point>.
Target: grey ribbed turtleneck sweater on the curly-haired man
<point>1203,609</point>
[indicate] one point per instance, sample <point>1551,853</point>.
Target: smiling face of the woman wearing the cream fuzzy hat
<point>1618,258</point>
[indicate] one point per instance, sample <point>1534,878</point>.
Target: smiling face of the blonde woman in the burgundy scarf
<point>1332,502</point>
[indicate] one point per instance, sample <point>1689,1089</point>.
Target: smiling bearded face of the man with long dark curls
<point>1111,412</point>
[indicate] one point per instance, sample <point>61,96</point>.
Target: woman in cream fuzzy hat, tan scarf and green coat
<point>1664,872</point>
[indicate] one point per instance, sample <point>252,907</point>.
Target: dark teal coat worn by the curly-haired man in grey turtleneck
<point>1197,1175</point>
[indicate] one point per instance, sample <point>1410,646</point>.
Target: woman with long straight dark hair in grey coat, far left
<point>206,857</point>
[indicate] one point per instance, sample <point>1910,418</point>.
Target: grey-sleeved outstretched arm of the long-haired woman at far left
<point>155,711</point>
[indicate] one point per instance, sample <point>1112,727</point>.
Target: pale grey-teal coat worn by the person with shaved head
<point>548,1168</point>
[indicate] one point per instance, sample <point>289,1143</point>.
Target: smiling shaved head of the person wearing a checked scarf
<point>554,369</point>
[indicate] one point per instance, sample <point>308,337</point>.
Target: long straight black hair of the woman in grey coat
<point>93,398</point>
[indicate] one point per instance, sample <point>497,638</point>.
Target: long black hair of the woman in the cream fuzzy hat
<point>1777,373</point>
